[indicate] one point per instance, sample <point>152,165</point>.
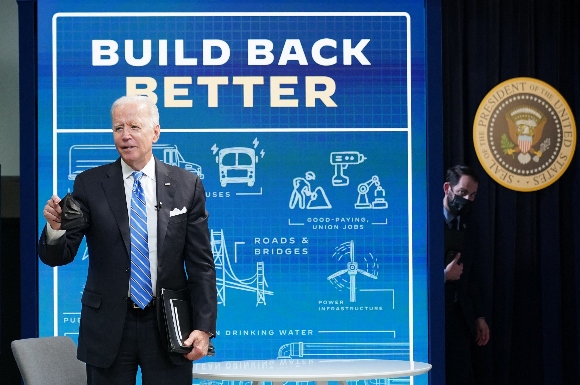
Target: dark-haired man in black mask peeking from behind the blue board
<point>464,320</point>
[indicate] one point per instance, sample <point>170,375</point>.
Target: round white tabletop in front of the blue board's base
<point>321,371</point>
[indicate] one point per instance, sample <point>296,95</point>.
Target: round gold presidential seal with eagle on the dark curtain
<point>524,134</point>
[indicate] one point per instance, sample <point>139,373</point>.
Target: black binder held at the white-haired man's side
<point>178,320</point>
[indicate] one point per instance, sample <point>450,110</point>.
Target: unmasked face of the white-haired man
<point>133,134</point>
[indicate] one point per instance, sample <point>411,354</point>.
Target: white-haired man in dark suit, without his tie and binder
<point>115,335</point>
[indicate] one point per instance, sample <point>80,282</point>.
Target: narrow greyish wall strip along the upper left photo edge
<point>9,105</point>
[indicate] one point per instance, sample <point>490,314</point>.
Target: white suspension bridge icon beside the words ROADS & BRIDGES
<point>226,277</point>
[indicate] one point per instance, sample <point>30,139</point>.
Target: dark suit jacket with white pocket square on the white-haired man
<point>181,240</point>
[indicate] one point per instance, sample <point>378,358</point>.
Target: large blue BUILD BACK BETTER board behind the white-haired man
<point>308,131</point>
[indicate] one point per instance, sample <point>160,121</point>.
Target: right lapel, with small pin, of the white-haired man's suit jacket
<point>165,194</point>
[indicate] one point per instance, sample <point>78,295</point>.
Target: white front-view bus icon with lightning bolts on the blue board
<point>237,165</point>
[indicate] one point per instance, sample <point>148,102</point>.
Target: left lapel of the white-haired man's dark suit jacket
<point>114,188</point>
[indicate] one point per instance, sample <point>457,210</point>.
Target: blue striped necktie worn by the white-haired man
<point>141,288</point>
